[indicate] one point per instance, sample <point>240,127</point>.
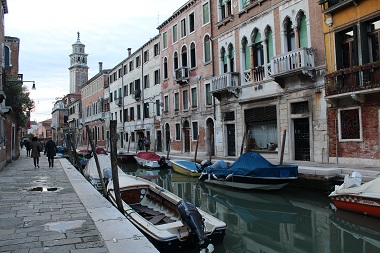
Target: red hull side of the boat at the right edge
<point>358,204</point>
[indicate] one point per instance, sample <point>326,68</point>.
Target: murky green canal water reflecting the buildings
<point>288,220</point>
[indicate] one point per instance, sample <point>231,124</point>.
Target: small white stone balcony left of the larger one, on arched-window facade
<point>225,83</point>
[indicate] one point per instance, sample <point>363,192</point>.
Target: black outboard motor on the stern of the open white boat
<point>192,219</point>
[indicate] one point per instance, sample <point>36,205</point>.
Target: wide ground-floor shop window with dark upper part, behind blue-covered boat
<point>262,124</point>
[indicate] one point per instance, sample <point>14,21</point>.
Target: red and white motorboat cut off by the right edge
<point>354,196</point>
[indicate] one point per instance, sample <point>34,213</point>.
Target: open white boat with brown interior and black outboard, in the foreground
<point>170,223</point>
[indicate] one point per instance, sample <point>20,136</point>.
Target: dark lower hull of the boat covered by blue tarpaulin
<point>247,183</point>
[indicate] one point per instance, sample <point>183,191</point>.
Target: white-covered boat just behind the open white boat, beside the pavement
<point>91,172</point>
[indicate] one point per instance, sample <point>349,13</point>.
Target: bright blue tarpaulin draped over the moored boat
<point>252,164</point>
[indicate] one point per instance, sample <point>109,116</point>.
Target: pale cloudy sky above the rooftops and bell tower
<point>47,29</point>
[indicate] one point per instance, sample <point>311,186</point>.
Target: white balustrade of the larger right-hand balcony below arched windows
<point>301,59</point>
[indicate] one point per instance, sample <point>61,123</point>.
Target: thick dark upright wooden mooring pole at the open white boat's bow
<point>115,175</point>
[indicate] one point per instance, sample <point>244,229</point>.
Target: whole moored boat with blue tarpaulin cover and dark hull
<point>250,171</point>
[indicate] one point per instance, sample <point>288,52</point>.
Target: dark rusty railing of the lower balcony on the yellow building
<point>353,79</point>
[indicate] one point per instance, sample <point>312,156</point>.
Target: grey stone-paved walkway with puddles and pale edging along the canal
<point>57,210</point>
